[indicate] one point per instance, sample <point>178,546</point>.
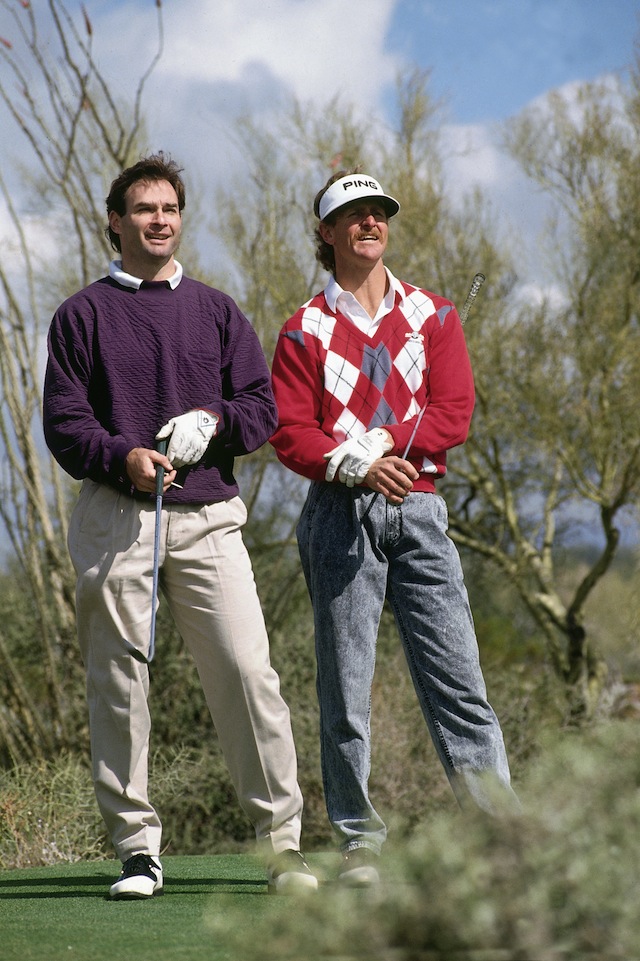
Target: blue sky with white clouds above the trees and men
<point>488,59</point>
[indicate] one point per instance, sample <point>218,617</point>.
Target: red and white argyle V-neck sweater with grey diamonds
<point>331,381</point>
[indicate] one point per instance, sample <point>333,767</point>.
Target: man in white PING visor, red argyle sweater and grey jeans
<point>355,370</point>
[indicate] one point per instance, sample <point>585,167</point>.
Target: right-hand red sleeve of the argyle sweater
<point>450,393</point>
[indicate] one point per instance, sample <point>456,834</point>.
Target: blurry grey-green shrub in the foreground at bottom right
<point>555,883</point>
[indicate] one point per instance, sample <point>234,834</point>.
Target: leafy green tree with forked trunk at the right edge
<point>556,436</point>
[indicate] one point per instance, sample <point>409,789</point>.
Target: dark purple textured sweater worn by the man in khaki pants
<point>122,362</point>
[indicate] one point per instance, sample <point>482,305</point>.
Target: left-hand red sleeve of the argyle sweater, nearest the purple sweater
<point>299,441</point>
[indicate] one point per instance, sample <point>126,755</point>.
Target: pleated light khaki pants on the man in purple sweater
<point>207,578</point>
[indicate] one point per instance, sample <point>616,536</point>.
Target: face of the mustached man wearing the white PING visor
<point>359,235</point>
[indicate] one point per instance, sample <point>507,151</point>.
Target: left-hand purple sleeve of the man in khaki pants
<point>73,433</point>
